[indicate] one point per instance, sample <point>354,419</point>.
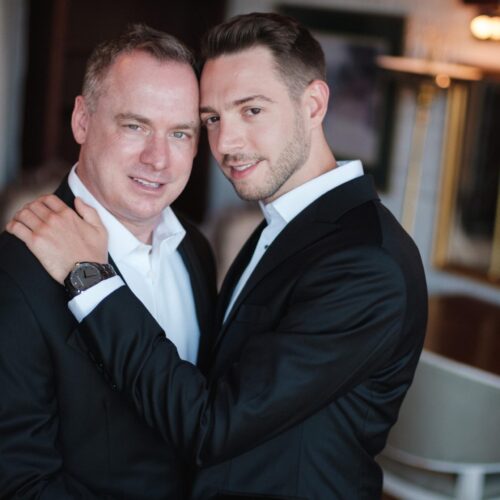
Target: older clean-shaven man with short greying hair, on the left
<point>65,430</point>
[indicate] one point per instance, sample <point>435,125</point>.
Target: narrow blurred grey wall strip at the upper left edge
<point>12,67</point>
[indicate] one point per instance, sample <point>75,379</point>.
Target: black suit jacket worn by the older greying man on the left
<point>65,431</point>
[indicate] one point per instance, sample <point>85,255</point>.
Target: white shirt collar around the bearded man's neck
<point>287,206</point>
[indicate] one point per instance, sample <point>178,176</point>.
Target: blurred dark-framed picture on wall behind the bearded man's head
<point>359,121</point>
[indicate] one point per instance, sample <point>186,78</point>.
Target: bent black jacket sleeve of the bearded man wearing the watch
<point>341,323</point>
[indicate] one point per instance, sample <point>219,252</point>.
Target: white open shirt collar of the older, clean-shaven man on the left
<point>121,242</point>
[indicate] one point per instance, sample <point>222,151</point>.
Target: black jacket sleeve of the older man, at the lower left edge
<point>30,464</point>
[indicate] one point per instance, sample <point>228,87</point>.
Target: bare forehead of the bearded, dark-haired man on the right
<point>233,76</point>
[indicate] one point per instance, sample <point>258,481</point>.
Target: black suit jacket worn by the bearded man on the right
<point>310,368</point>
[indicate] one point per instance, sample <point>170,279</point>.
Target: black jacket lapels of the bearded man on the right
<point>315,222</point>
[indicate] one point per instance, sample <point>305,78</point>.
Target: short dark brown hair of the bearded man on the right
<point>298,56</point>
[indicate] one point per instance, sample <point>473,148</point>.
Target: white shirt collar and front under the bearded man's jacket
<point>282,210</point>
